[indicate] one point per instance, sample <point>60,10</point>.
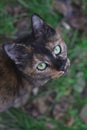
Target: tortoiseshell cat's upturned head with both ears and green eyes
<point>42,59</point>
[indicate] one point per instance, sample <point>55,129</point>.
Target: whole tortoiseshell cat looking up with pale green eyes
<point>30,61</point>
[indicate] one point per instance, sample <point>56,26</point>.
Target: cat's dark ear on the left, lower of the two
<point>16,53</point>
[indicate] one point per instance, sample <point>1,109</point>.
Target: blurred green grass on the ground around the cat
<point>77,49</point>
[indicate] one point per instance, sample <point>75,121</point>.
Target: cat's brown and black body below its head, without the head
<point>13,86</point>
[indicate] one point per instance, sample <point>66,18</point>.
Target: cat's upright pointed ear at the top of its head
<point>40,28</point>
